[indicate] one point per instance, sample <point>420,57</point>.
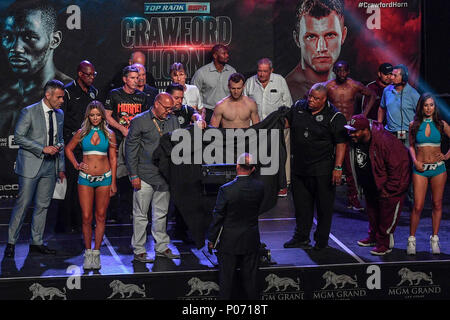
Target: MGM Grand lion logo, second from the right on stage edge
<point>339,287</point>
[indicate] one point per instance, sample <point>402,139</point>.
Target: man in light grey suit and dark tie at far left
<point>40,161</point>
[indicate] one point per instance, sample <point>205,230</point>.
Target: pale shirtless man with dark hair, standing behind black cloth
<point>236,110</point>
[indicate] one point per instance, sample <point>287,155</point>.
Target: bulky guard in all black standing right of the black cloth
<point>318,141</point>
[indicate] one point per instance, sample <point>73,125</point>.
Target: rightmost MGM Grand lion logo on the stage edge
<point>414,284</point>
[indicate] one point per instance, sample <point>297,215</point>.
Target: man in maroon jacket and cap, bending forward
<point>382,167</point>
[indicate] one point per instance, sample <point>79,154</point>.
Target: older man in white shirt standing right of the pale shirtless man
<point>270,91</point>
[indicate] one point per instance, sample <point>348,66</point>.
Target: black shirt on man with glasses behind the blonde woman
<point>74,107</point>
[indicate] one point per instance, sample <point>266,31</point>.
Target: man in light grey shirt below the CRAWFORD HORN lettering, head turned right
<point>212,79</point>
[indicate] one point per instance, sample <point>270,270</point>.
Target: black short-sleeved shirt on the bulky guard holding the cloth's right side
<point>314,137</point>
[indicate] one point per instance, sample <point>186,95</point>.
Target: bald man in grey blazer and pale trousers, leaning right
<point>149,186</point>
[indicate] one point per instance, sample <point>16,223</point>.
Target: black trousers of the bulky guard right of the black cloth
<point>309,193</point>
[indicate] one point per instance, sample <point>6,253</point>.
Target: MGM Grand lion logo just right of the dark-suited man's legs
<point>282,288</point>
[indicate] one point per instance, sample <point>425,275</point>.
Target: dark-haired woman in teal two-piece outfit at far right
<point>425,134</point>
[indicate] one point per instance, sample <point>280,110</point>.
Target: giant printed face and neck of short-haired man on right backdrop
<point>319,33</point>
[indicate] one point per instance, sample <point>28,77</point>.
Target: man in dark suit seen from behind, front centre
<point>235,226</point>
